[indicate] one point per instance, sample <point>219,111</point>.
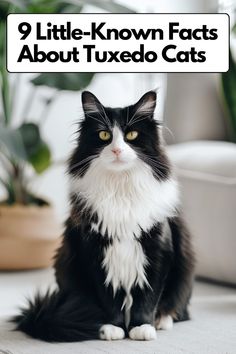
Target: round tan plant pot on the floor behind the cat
<point>29,237</point>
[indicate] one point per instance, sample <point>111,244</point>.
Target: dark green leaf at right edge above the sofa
<point>229,92</point>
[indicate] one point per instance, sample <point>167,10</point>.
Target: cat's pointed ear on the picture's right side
<point>146,105</point>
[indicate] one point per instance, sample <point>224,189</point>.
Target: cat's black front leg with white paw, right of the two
<point>142,315</point>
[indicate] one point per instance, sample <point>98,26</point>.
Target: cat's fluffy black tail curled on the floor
<point>58,317</point>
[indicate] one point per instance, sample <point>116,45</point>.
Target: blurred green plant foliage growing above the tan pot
<point>23,151</point>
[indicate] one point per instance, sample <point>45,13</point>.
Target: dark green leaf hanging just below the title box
<point>64,81</point>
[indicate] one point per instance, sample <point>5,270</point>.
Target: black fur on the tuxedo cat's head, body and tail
<point>82,302</point>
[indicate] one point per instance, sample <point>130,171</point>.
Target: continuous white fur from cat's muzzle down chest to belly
<point>127,199</point>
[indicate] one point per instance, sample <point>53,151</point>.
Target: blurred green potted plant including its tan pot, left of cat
<point>29,231</point>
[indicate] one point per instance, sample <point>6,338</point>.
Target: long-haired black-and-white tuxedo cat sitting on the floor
<point>125,267</point>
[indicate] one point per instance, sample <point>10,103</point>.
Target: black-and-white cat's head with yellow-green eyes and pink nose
<point>119,138</point>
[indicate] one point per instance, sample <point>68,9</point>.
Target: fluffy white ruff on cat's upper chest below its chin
<point>126,202</point>
